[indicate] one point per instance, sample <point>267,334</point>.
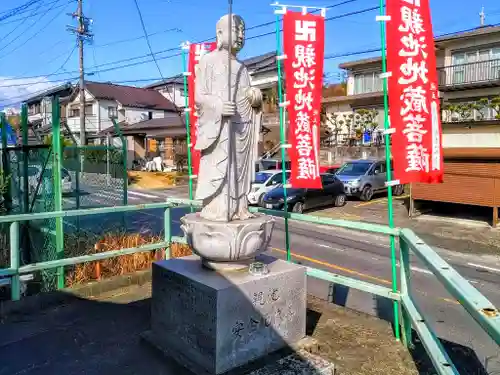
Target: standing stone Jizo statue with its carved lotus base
<point>225,234</point>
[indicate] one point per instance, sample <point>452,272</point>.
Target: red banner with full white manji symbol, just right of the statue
<point>304,46</point>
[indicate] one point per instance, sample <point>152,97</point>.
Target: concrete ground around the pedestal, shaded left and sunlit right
<point>101,335</point>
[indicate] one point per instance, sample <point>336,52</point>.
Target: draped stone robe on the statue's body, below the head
<point>228,145</point>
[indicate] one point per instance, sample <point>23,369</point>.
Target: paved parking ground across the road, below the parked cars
<point>456,230</point>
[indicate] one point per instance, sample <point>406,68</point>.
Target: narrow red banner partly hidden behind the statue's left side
<point>196,50</point>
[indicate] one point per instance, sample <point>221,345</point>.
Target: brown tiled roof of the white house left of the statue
<point>130,96</point>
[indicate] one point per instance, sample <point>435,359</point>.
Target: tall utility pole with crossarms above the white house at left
<point>83,34</point>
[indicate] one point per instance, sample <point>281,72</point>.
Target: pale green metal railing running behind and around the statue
<point>478,306</point>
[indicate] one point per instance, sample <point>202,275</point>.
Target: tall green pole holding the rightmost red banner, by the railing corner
<point>387,139</point>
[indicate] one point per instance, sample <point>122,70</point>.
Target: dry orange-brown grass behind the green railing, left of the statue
<point>121,265</point>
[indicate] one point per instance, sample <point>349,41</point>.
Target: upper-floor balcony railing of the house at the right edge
<point>481,72</point>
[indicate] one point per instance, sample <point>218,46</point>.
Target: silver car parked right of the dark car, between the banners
<point>364,178</point>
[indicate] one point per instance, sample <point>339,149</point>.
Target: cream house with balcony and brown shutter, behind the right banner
<point>469,84</point>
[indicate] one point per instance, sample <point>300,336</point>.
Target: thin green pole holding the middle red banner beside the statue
<point>282,136</point>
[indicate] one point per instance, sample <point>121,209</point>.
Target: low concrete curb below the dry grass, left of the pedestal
<point>48,299</point>
